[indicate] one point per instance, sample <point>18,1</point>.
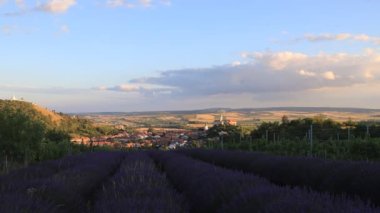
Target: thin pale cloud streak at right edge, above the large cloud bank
<point>340,37</point>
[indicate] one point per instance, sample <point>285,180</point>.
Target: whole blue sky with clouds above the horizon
<point>153,55</point>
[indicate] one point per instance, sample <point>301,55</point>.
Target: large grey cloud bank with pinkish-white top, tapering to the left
<point>266,72</point>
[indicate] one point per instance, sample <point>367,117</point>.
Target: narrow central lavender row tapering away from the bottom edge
<point>138,186</point>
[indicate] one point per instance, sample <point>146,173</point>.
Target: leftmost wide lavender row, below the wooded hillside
<point>57,186</point>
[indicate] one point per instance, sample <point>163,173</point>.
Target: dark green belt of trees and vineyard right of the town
<point>317,137</point>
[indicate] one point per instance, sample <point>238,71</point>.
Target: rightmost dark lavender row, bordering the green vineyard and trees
<point>356,179</point>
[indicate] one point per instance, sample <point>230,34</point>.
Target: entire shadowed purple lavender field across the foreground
<point>190,181</point>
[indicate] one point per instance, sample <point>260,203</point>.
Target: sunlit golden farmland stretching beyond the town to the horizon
<point>198,118</point>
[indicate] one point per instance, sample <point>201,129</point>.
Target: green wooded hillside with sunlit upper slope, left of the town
<point>30,133</point>
